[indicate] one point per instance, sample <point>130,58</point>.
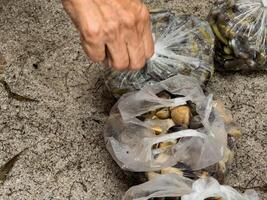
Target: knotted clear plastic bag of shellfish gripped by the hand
<point>183,45</point>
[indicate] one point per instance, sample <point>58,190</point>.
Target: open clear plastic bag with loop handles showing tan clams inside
<point>131,141</point>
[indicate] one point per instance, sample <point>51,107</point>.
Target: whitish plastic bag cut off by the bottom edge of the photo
<point>172,185</point>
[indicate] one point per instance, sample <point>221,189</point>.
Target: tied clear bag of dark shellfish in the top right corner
<point>240,27</point>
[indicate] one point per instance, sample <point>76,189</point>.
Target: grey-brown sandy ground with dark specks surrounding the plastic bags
<point>66,156</point>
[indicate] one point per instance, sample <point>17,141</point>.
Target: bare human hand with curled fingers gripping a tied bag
<point>116,32</point>
